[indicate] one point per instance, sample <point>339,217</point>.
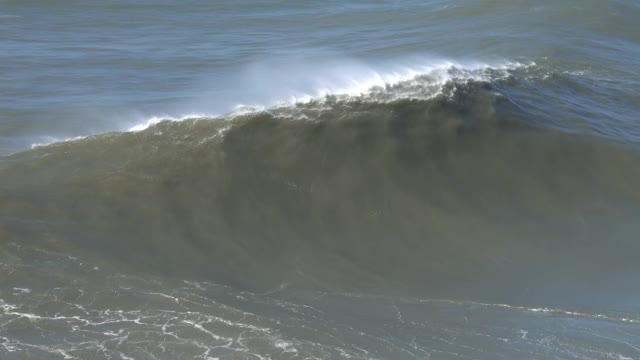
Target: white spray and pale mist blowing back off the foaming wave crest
<point>277,83</point>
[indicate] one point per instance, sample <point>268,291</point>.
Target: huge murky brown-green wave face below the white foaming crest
<point>452,193</point>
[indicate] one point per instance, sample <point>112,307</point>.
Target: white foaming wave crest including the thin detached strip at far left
<point>354,82</point>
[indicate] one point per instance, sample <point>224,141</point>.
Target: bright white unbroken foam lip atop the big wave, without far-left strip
<point>417,82</point>
